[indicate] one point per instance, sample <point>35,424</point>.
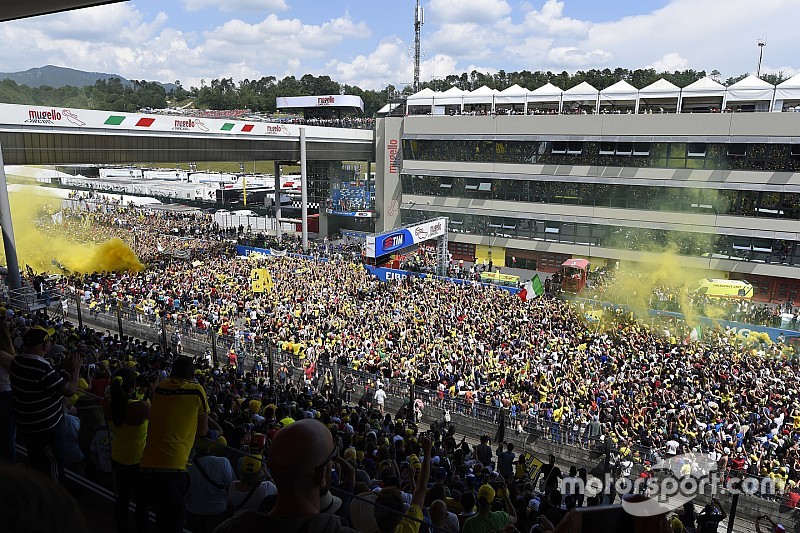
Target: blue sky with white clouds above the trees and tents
<point>368,42</point>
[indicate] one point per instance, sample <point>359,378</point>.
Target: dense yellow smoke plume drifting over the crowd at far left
<point>43,250</point>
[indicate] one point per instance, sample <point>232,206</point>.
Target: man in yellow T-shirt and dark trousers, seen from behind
<point>179,413</point>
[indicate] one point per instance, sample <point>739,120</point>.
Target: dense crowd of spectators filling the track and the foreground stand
<point>642,386</point>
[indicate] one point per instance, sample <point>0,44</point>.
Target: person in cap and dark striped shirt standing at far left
<point>37,392</point>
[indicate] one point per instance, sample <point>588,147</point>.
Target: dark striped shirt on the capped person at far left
<point>36,393</point>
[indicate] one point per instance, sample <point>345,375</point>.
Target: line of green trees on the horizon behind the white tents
<point>260,95</point>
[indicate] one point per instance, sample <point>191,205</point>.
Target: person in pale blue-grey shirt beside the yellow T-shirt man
<point>210,477</point>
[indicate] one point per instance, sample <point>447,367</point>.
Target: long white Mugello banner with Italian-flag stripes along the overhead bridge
<point>22,117</point>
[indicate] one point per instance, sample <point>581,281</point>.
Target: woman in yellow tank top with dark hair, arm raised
<point>128,422</point>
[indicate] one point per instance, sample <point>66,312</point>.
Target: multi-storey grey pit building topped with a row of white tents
<point>636,172</point>
